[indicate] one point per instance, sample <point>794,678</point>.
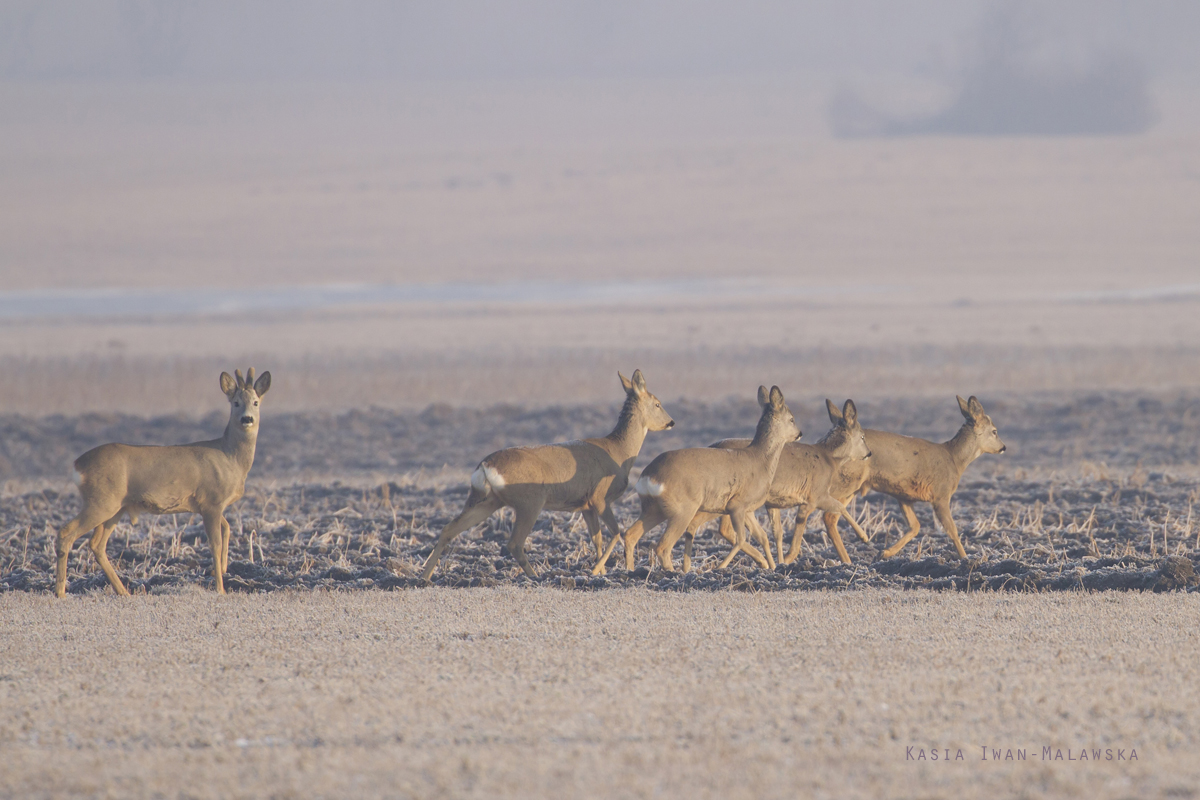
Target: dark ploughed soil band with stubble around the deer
<point>1109,509</point>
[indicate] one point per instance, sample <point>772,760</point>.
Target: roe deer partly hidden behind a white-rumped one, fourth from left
<point>807,478</point>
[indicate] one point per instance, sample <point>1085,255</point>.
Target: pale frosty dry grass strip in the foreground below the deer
<point>539,693</point>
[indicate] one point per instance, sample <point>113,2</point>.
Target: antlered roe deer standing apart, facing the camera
<point>203,478</point>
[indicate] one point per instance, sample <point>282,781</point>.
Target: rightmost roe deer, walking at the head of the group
<point>915,471</point>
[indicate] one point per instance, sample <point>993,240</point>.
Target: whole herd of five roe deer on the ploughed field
<point>685,489</point>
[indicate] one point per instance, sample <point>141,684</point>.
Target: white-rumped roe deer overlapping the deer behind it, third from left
<point>680,484</point>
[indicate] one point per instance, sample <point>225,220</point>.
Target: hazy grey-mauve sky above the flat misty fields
<point>304,40</point>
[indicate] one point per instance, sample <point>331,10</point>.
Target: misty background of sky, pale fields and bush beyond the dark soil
<point>971,191</point>
